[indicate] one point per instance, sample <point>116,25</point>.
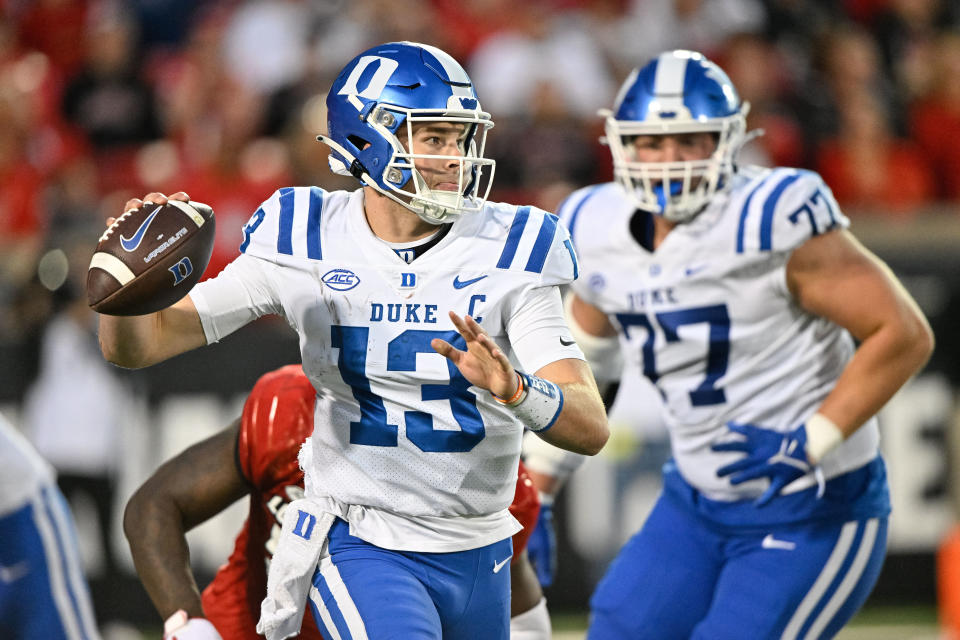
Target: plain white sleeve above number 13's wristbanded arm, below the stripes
<point>537,330</point>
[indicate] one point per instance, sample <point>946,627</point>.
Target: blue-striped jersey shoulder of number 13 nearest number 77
<point>538,244</point>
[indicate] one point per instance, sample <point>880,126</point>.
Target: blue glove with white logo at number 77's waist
<point>782,457</point>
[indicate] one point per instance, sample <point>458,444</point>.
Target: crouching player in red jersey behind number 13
<point>257,456</point>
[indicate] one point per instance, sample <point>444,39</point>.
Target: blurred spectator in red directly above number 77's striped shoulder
<point>868,168</point>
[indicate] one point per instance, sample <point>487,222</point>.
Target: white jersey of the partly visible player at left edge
<point>22,471</point>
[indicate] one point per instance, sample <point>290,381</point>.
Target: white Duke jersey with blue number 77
<point>708,318</point>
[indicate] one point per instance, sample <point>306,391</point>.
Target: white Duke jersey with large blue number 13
<point>403,447</point>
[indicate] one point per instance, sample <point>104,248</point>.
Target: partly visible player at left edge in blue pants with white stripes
<point>43,593</point>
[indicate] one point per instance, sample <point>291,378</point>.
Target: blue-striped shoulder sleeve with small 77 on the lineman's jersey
<point>784,209</point>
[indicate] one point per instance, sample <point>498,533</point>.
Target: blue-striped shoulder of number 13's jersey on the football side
<point>288,223</point>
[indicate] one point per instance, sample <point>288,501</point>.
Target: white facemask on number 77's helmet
<point>679,190</point>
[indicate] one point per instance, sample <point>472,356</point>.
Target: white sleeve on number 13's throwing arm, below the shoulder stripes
<point>241,293</point>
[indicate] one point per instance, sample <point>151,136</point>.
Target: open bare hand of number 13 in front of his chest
<point>483,363</point>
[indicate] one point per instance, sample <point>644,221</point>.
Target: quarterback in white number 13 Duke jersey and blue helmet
<point>404,530</point>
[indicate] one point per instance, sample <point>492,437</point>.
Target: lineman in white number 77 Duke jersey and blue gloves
<point>739,293</point>
